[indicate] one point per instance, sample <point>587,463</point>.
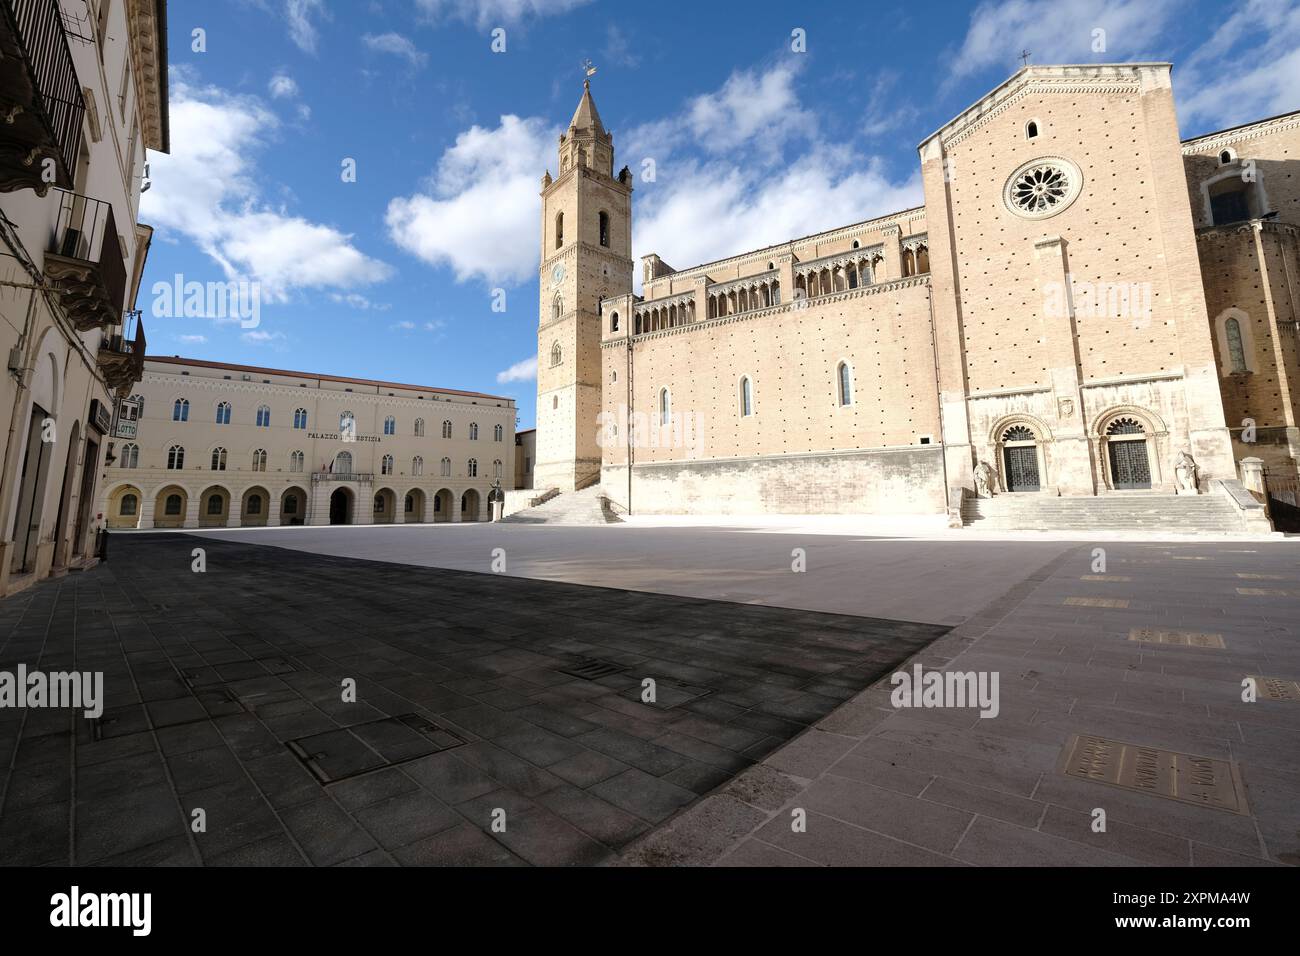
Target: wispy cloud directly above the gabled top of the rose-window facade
<point>1060,32</point>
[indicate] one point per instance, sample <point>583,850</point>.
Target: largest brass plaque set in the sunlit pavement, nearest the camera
<point>1184,777</point>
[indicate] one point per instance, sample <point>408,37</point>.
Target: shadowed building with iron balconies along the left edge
<point>84,96</point>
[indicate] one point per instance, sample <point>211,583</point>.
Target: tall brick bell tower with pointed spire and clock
<point>587,257</point>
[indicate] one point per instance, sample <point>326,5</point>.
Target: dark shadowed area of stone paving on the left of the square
<point>224,697</point>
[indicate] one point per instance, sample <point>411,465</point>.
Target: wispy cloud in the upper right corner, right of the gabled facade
<point>1250,70</point>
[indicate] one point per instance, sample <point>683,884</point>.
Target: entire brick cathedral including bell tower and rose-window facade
<point>1085,306</point>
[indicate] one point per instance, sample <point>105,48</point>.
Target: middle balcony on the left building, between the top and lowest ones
<point>85,262</point>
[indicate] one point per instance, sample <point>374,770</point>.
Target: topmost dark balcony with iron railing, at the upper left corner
<point>41,100</point>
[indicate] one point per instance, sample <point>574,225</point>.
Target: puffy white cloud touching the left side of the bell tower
<point>480,217</point>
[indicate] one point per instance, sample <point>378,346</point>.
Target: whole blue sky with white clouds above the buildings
<point>393,276</point>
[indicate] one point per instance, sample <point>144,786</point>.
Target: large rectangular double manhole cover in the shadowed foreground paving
<point>346,752</point>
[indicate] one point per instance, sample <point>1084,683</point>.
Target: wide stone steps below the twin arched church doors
<point>1204,514</point>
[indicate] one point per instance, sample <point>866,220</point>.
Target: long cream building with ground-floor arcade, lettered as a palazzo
<point>226,445</point>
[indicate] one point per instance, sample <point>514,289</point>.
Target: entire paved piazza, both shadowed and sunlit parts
<point>500,717</point>
